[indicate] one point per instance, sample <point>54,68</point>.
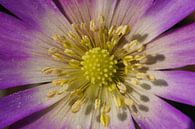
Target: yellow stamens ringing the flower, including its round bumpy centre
<point>97,59</point>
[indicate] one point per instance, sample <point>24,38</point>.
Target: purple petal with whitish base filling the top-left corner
<point>40,14</point>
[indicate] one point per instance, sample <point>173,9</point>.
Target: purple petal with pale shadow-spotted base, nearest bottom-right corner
<point>156,113</point>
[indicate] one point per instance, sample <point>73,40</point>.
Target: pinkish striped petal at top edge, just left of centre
<point>78,11</point>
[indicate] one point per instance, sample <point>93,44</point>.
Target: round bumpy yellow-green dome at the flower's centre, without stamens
<point>99,66</point>
